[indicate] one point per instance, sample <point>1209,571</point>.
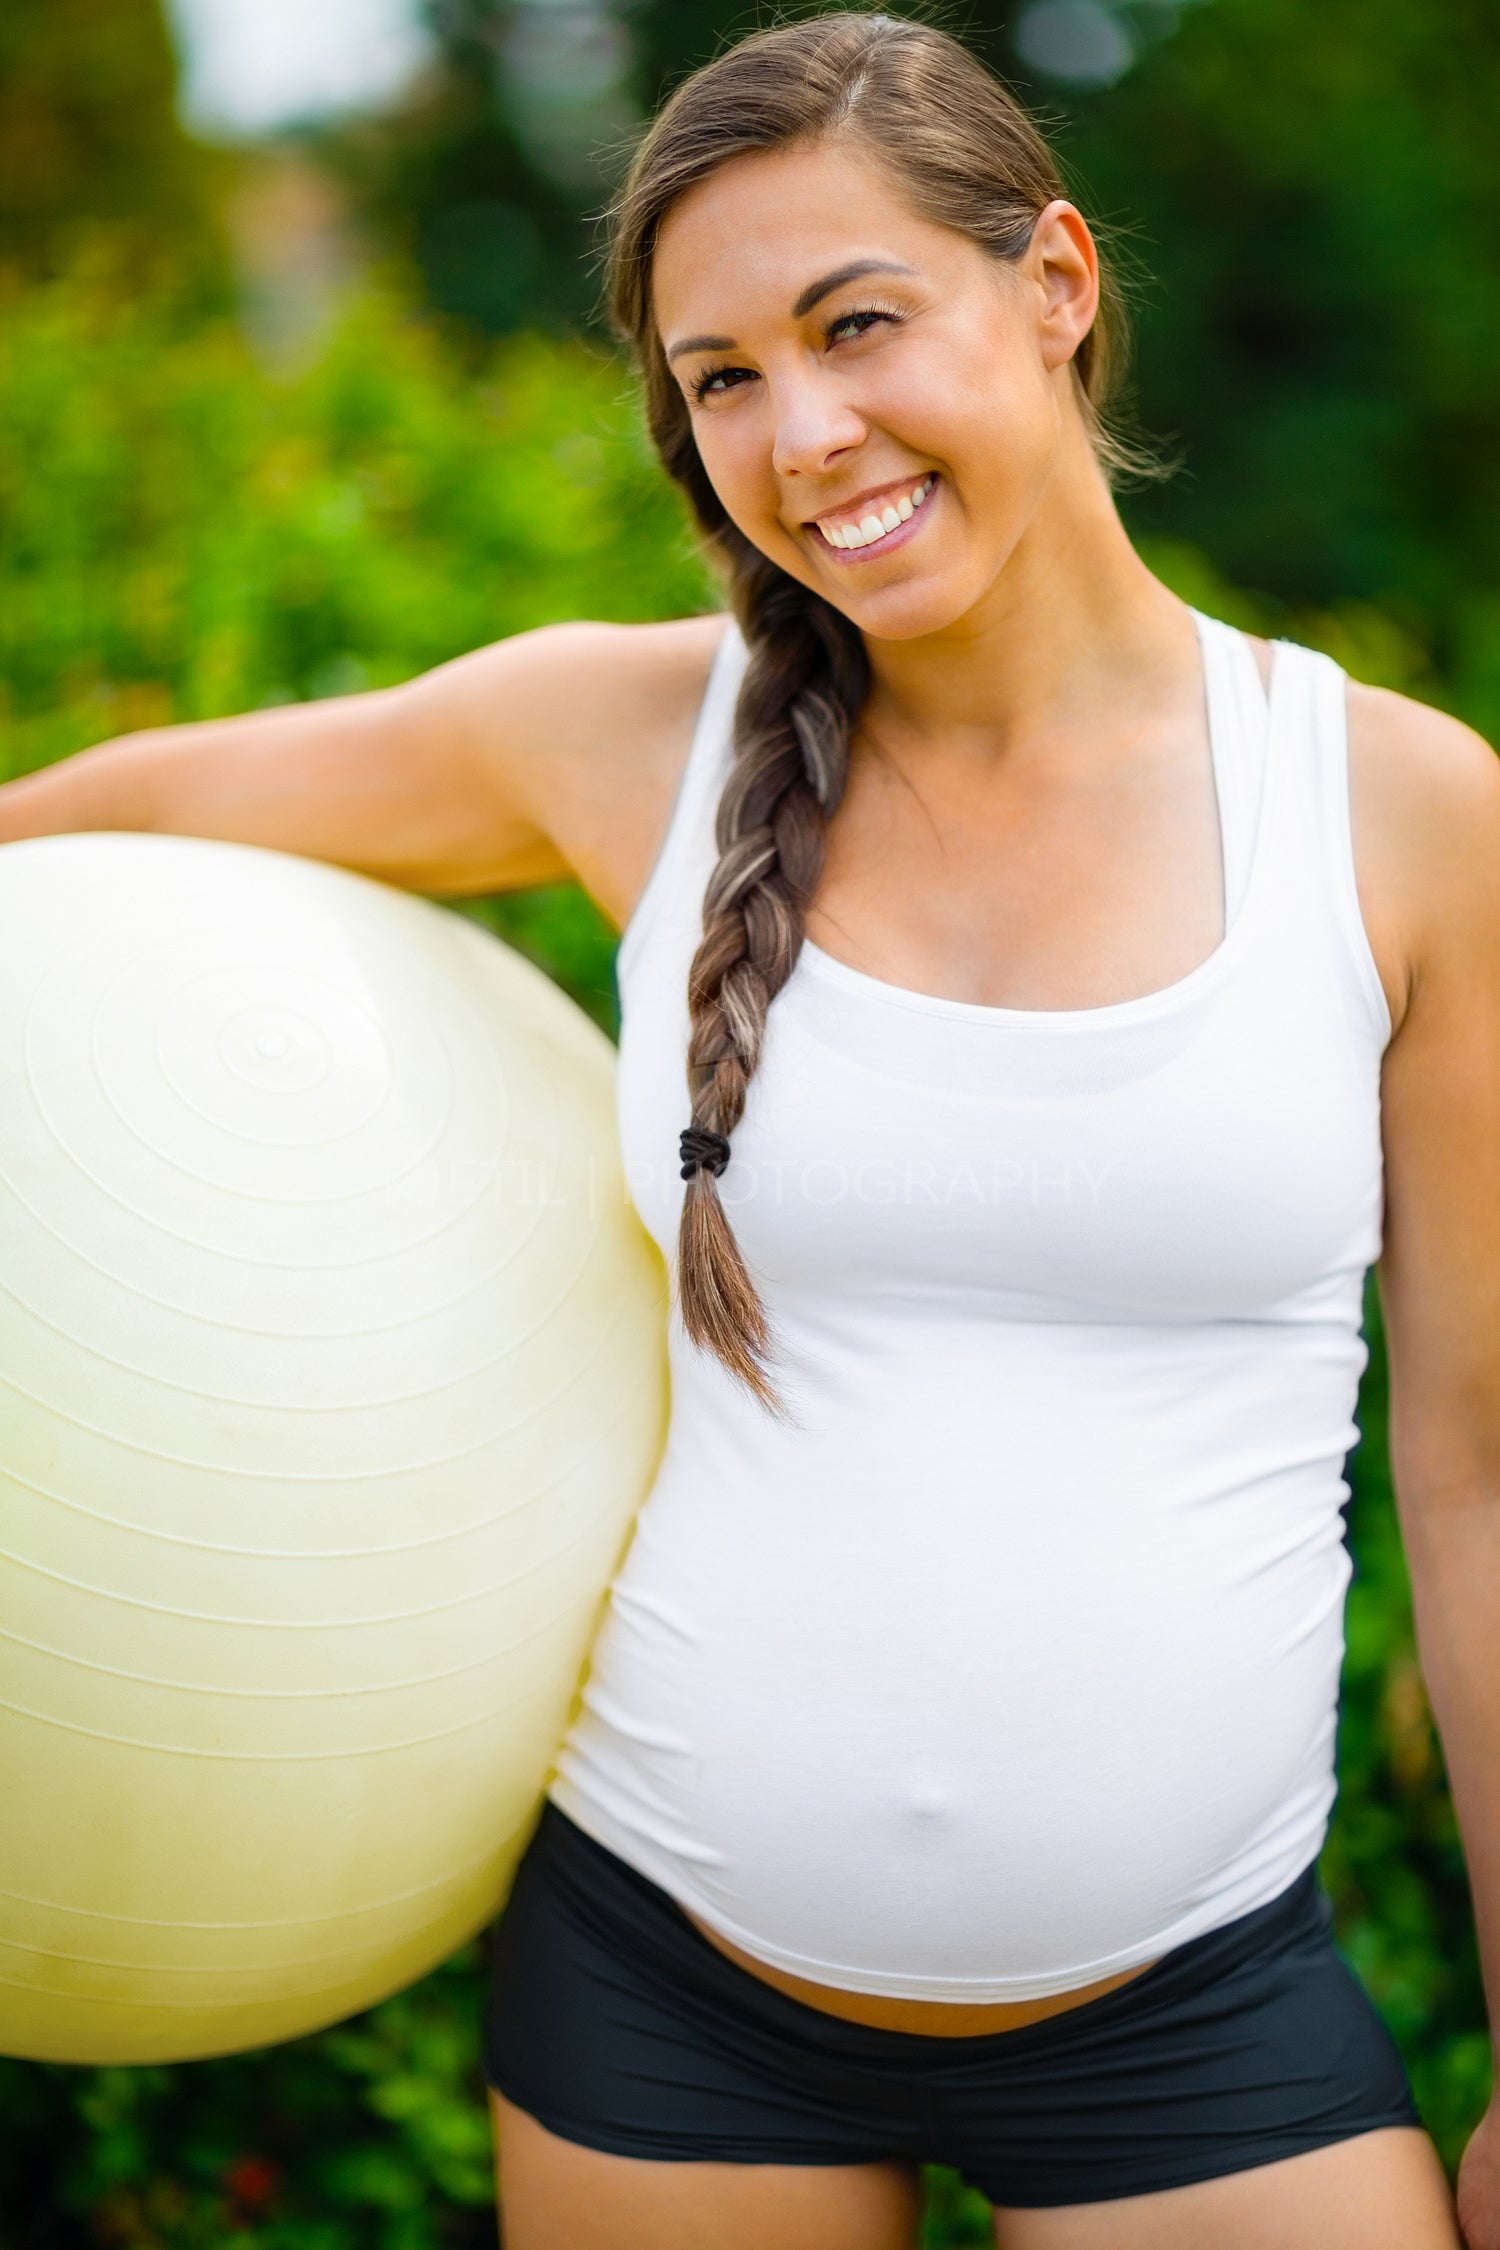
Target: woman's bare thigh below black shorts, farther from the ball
<point>1375,2193</point>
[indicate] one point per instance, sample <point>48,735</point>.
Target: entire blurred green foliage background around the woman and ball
<point>1305,199</point>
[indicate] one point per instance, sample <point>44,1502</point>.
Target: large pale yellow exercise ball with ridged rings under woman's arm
<point>332,1374</point>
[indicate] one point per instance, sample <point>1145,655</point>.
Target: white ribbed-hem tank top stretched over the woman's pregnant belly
<point>1013,1662</point>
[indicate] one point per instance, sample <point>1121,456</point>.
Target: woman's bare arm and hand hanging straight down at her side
<point>1440,1290</point>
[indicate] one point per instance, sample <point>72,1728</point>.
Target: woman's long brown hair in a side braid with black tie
<point>970,159</point>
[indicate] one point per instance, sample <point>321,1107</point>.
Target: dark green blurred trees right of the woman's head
<point>1314,192</point>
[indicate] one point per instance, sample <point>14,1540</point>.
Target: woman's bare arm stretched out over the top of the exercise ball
<point>550,755</point>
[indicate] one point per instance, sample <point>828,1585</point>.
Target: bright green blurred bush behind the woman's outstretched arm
<point>186,534</point>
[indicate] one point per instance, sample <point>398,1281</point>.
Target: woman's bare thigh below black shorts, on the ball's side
<point>557,2195</point>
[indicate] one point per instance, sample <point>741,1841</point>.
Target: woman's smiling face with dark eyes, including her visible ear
<point>878,402</point>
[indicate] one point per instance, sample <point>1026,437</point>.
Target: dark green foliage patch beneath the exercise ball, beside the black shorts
<point>365,2139</point>
